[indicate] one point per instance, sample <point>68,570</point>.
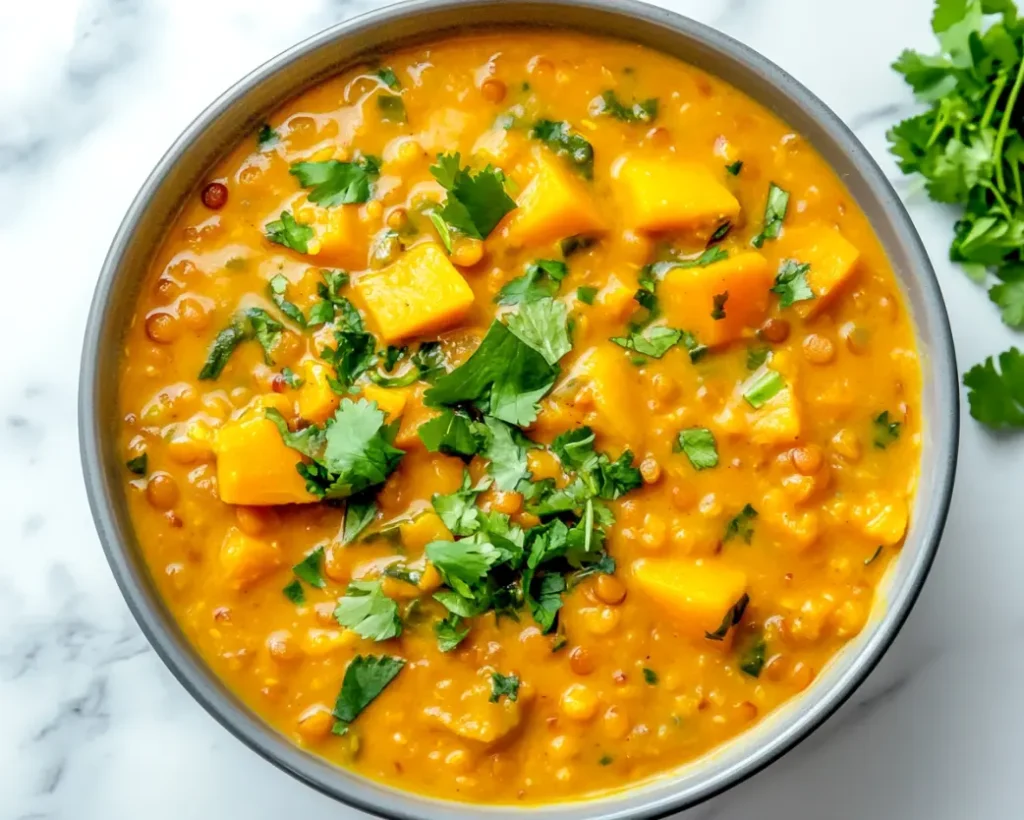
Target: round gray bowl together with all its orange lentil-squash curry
<point>520,407</point>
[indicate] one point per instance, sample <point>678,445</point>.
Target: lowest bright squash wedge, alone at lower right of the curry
<point>698,596</point>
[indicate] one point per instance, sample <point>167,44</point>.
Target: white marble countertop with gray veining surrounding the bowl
<point>92,94</point>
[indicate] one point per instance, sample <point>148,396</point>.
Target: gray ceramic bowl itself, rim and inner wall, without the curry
<point>240,112</point>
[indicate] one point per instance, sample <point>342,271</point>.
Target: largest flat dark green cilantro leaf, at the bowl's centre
<point>505,377</point>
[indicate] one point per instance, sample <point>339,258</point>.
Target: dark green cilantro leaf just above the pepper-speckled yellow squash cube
<point>477,203</point>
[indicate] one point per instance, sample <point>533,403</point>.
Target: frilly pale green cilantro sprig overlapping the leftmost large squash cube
<point>353,452</point>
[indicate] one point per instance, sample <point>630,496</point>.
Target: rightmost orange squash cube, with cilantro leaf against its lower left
<point>833,263</point>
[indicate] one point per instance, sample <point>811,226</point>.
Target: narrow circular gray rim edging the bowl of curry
<point>345,786</point>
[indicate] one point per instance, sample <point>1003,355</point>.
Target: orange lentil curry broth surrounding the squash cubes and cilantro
<point>624,687</point>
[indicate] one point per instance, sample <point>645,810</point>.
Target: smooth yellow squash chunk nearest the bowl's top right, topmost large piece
<point>672,195</point>
